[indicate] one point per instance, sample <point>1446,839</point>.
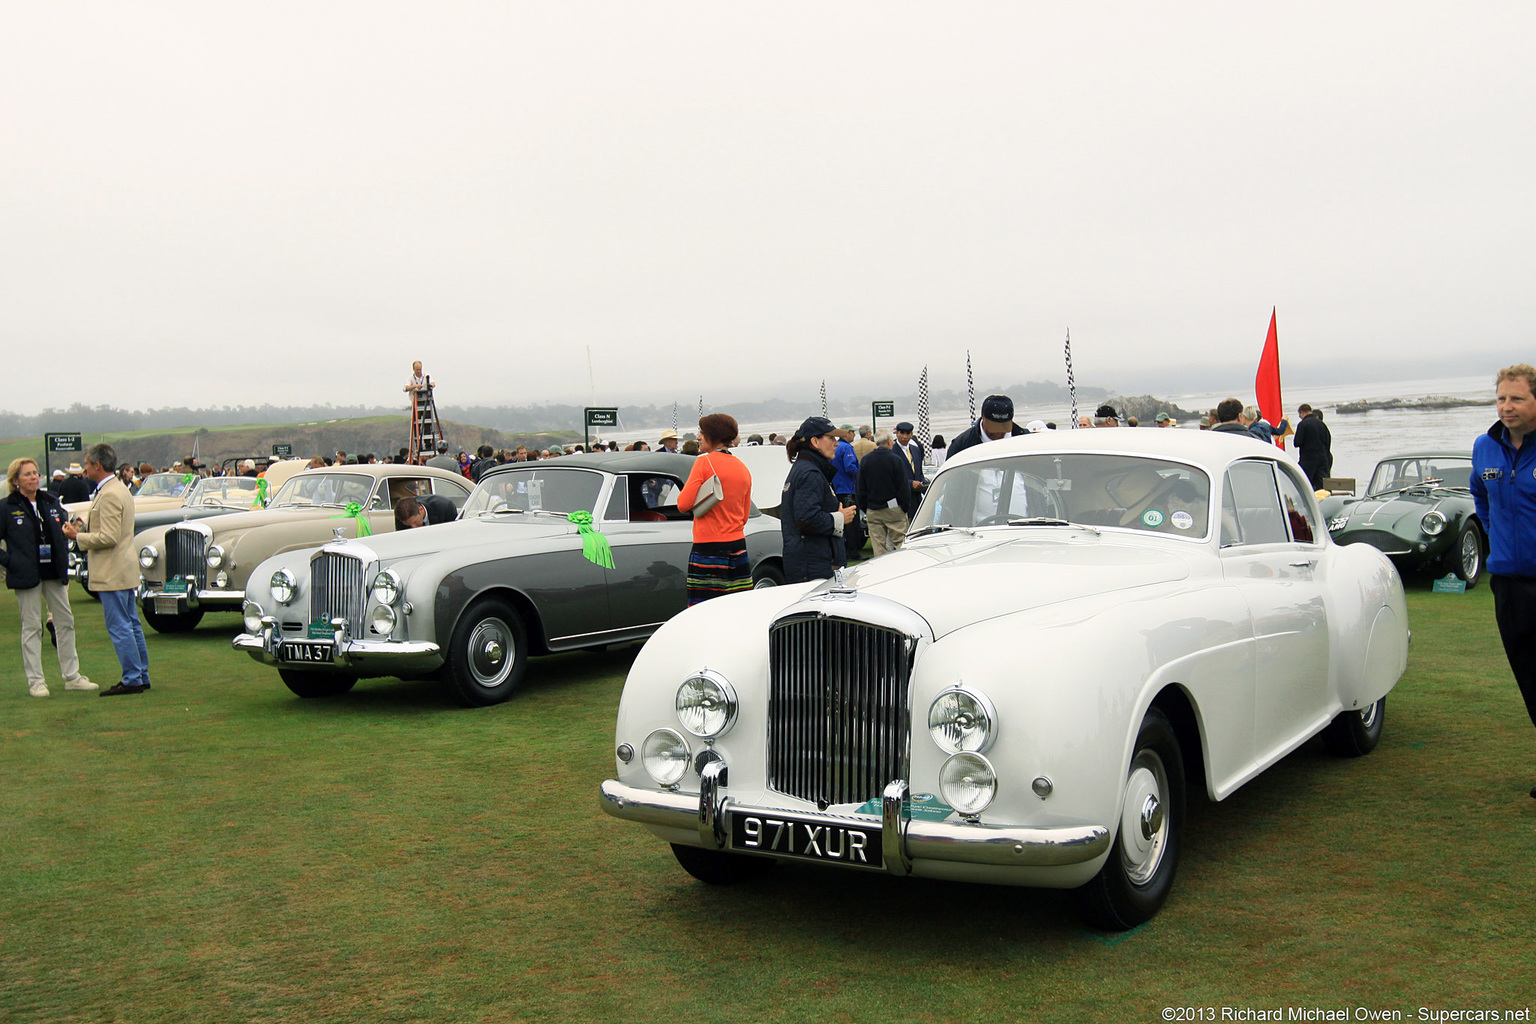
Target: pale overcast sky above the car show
<point>217,203</point>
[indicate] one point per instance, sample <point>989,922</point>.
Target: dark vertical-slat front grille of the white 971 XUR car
<point>838,709</point>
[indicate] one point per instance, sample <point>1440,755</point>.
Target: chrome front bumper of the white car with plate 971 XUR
<point>902,839</point>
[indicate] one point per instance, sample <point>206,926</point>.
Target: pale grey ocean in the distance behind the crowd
<point>1360,440</point>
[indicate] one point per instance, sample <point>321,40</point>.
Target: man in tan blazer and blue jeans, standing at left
<point>108,543</point>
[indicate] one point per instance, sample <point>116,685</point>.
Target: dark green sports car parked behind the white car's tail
<point>1418,510</point>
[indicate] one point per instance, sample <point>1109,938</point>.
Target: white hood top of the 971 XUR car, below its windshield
<point>958,580</point>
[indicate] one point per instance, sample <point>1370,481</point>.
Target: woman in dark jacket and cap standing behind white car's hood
<point>812,518</point>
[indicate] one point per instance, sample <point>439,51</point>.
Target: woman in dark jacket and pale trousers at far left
<point>36,560</point>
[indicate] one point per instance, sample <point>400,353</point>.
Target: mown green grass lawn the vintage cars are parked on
<point>220,851</point>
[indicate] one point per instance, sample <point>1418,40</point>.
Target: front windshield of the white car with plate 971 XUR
<point>1091,491</point>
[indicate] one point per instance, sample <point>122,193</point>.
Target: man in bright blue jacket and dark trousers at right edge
<point>1505,489</point>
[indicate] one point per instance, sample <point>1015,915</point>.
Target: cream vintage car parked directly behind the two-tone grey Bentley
<point>194,567</point>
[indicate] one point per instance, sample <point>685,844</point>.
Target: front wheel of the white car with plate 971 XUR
<point>1136,880</point>
